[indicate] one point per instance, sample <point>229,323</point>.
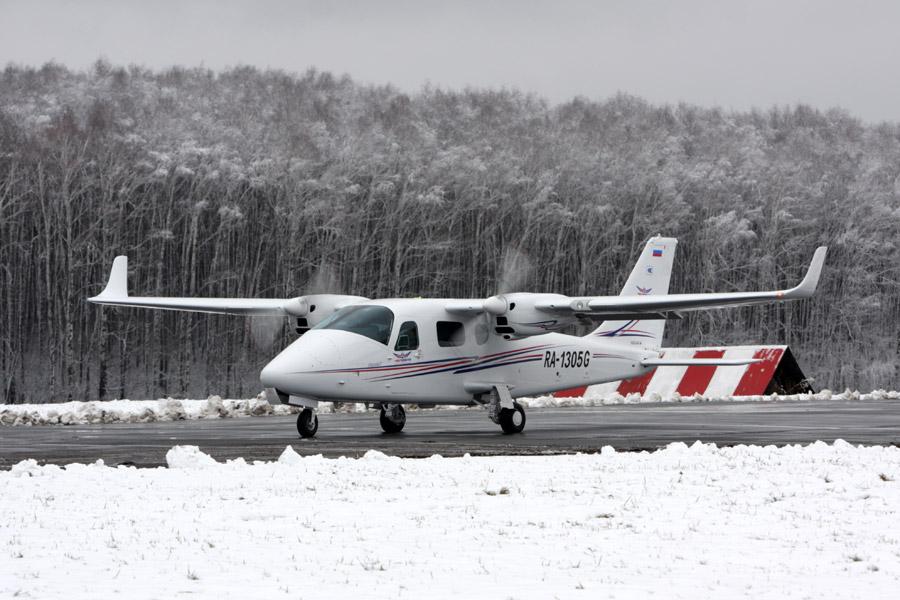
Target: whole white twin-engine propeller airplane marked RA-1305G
<point>396,351</point>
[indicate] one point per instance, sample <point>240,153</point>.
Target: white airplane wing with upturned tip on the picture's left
<point>116,294</point>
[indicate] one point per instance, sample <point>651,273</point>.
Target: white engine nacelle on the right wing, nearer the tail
<point>516,315</point>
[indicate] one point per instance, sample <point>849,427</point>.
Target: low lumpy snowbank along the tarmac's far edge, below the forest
<point>145,411</point>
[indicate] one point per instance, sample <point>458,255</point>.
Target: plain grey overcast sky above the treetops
<point>709,52</point>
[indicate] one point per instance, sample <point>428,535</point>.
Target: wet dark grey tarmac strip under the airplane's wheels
<point>454,433</point>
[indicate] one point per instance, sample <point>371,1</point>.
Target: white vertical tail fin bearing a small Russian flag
<point>650,277</point>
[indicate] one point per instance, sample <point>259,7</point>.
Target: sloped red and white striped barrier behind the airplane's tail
<point>710,381</point>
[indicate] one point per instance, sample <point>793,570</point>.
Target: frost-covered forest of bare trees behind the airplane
<point>261,183</point>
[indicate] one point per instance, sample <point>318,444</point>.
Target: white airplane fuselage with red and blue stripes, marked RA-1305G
<point>453,359</point>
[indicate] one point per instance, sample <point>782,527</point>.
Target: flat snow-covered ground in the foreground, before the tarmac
<point>819,521</point>
